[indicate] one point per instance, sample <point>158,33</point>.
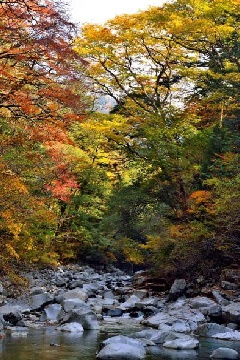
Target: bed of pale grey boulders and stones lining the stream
<point>78,298</point>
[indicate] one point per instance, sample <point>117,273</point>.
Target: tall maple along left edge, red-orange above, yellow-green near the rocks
<point>41,96</point>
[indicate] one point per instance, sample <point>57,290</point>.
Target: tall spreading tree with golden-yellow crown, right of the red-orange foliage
<point>173,72</point>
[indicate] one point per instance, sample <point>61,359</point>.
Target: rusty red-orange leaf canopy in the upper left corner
<point>36,58</point>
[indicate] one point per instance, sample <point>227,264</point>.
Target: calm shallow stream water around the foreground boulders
<point>49,344</point>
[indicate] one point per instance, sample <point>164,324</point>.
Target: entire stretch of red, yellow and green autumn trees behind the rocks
<point>153,180</point>
